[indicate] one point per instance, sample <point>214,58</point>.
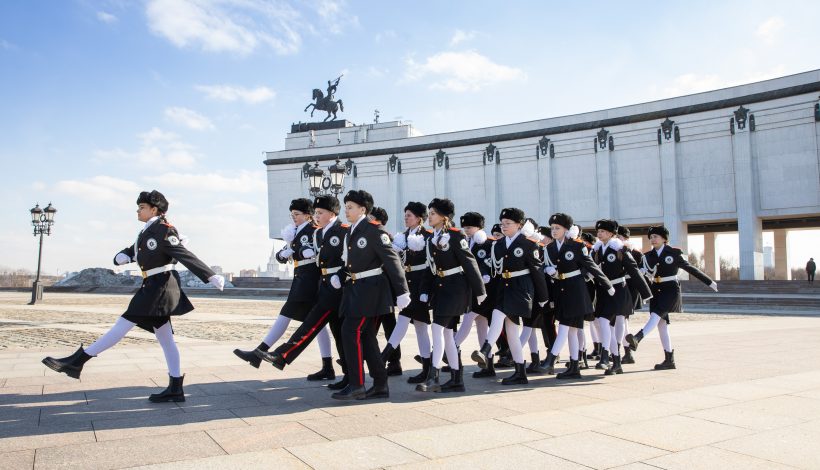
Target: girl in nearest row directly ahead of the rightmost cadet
<point>616,262</point>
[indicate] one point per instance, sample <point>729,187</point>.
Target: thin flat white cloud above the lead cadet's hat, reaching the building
<point>241,182</point>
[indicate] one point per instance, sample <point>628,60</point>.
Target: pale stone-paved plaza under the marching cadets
<point>746,395</point>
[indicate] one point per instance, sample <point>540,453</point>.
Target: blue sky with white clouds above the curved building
<point>103,99</point>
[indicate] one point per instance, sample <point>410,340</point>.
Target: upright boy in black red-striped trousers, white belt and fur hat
<point>368,253</point>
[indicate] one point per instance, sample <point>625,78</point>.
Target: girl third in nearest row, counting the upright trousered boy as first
<point>515,259</point>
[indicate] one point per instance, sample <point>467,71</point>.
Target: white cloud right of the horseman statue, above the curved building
<point>461,71</point>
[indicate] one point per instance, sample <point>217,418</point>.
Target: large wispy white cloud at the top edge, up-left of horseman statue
<point>236,26</point>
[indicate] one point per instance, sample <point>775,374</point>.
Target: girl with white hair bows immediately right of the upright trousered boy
<point>410,247</point>
